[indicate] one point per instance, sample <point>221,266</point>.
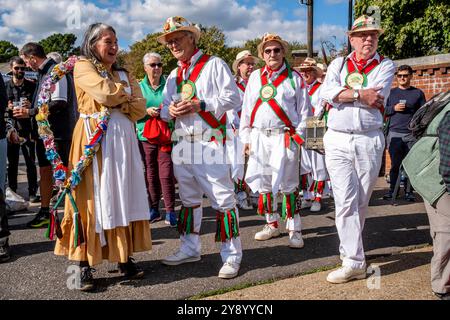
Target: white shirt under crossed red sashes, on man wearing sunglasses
<point>295,103</point>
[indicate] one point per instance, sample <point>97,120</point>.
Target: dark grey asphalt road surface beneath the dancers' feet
<point>35,273</point>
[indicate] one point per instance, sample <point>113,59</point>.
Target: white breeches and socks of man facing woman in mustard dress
<point>200,168</point>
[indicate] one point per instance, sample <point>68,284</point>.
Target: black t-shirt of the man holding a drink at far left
<point>14,93</point>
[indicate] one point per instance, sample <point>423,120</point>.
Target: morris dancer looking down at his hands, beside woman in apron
<point>207,91</point>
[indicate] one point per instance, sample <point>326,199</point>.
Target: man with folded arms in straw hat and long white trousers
<point>357,87</point>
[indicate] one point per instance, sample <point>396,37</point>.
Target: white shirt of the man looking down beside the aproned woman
<point>215,86</point>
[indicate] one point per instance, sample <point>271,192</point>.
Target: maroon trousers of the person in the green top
<point>159,175</point>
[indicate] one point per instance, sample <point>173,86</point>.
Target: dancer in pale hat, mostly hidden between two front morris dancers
<point>242,67</point>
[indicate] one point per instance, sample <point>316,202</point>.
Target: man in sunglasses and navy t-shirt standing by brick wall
<point>402,103</point>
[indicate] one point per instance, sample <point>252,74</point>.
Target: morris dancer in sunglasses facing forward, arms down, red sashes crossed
<point>275,106</point>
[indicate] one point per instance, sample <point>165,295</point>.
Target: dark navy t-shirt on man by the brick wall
<point>399,120</point>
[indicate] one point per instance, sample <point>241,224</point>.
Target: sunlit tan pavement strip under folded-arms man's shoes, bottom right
<point>401,276</point>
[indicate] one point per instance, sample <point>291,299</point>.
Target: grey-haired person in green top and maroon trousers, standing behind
<point>157,158</point>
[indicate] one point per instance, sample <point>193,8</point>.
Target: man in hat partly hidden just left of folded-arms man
<point>312,73</point>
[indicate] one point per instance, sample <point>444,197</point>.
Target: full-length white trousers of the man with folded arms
<point>353,162</point>
